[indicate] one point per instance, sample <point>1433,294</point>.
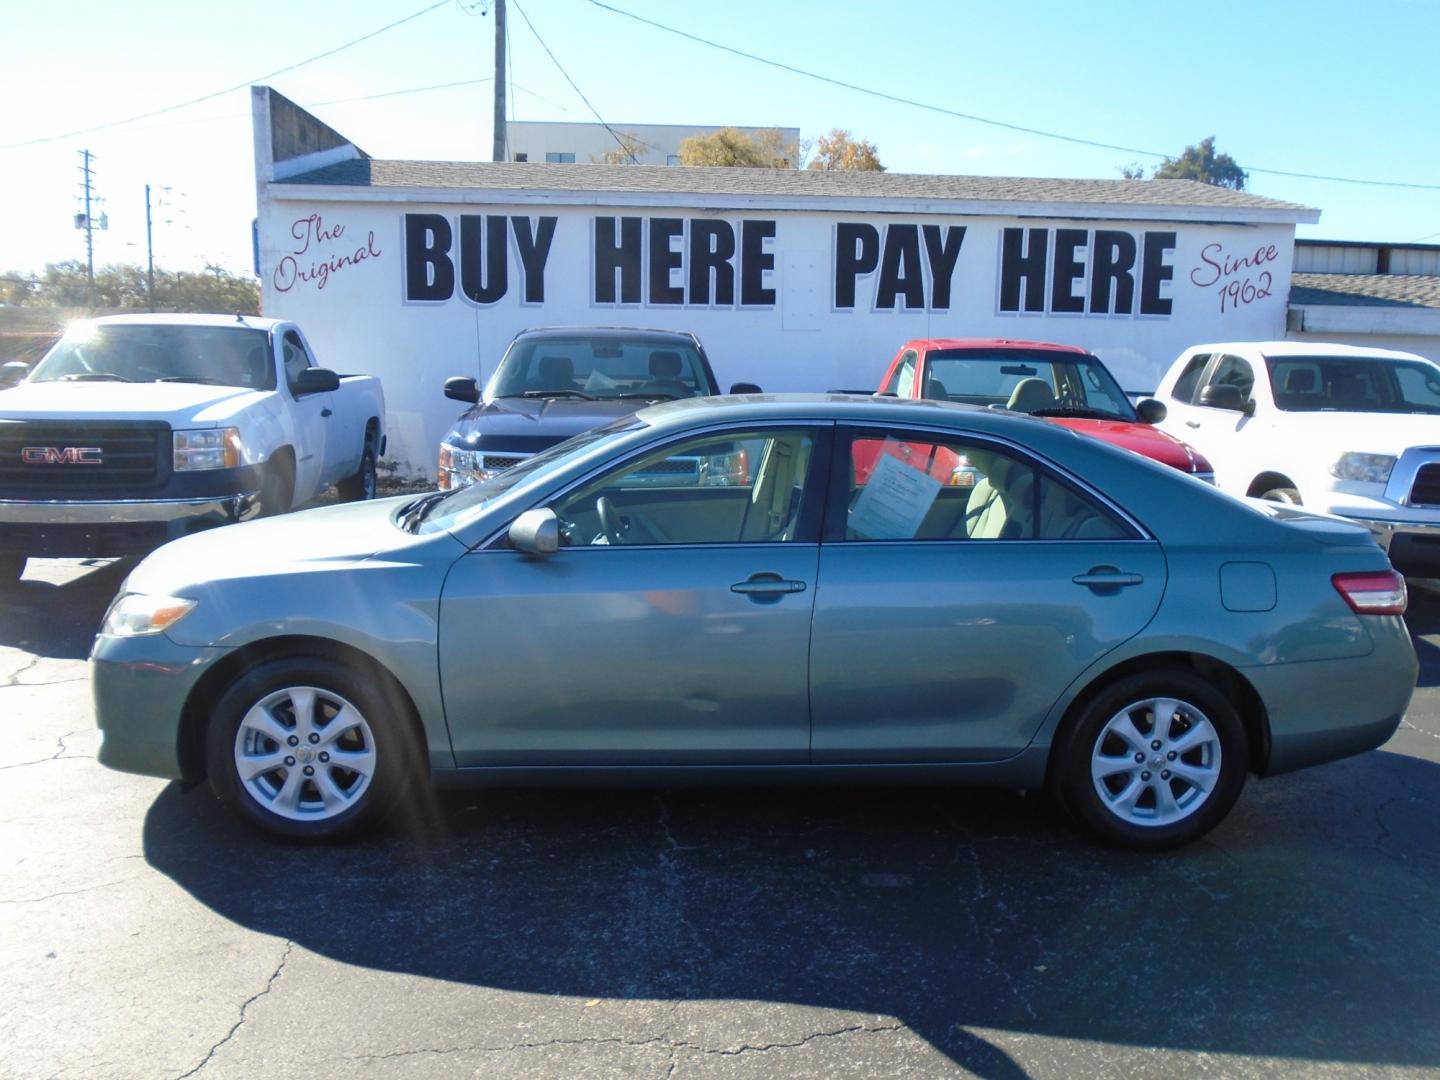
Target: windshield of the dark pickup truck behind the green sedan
<point>601,368</point>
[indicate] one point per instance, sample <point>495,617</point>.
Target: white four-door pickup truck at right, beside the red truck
<point>1340,430</point>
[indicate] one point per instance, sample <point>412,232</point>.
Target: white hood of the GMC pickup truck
<point>178,404</point>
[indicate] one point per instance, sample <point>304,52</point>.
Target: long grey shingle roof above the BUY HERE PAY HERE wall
<point>522,176</point>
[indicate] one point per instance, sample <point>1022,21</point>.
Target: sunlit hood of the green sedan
<point>305,542</point>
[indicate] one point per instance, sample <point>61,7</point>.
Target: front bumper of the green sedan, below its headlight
<point>142,688</point>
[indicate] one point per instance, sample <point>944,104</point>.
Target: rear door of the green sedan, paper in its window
<point>953,616</point>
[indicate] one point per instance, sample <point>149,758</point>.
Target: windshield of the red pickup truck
<point>1042,384</point>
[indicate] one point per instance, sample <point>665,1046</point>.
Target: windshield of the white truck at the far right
<point>1354,384</point>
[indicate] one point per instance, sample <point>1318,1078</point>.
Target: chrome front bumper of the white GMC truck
<point>113,528</point>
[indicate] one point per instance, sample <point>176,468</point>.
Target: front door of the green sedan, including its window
<point>670,629</point>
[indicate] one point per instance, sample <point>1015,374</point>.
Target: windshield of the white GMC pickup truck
<point>224,356</point>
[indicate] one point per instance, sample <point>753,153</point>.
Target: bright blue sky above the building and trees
<point>1326,89</point>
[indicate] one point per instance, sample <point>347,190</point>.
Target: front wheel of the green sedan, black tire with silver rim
<point>283,800</point>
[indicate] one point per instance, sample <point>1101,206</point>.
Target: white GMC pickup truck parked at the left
<point>136,430</point>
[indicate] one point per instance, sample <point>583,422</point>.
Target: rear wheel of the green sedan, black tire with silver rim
<point>1148,824</point>
